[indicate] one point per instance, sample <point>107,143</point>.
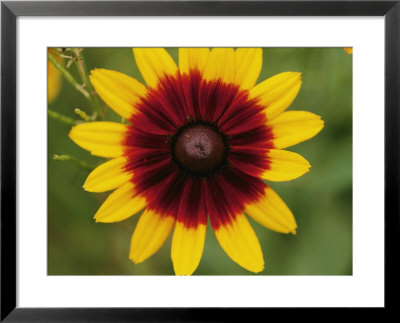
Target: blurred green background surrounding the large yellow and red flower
<point>320,200</point>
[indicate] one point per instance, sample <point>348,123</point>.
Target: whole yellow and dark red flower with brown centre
<point>201,139</point>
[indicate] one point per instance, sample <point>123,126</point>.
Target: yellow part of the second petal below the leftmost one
<point>120,205</point>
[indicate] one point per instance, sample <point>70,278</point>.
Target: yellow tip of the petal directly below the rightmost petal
<point>285,166</point>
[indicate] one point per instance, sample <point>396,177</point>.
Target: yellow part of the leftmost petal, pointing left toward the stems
<point>101,138</point>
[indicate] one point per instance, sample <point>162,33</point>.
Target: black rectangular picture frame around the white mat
<point>10,10</point>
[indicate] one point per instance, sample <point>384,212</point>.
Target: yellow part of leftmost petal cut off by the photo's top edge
<point>154,64</point>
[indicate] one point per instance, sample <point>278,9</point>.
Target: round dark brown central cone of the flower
<point>200,148</point>
